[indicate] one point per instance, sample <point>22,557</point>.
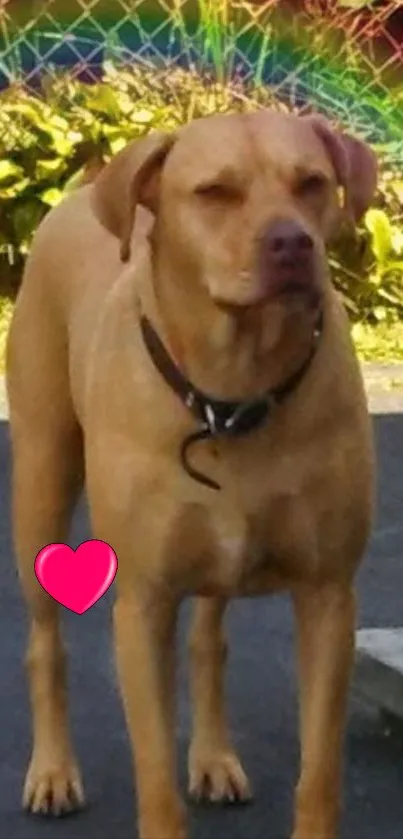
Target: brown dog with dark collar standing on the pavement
<point>266,483</point>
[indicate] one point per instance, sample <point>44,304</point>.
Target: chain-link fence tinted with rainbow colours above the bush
<point>344,57</point>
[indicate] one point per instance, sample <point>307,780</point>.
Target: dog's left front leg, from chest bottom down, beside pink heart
<point>145,638</point>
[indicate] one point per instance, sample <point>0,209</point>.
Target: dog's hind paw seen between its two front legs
<point>218,777</point>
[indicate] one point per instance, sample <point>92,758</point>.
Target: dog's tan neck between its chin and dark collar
<point>226,353</point>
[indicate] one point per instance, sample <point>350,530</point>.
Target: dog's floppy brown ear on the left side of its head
<point>131,178</point>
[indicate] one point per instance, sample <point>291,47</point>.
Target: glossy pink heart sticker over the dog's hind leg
<point>76,579</point>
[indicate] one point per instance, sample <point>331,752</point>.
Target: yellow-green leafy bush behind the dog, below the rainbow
<point>48,142</point>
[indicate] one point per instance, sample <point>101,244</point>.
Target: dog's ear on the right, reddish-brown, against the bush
<point>355,165</point>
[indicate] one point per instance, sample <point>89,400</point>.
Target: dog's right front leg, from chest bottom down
<point>325,626</point>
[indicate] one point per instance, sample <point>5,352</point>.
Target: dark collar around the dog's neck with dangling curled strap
<point>218,417</point>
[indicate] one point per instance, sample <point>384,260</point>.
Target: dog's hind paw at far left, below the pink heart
<point>53,789</point>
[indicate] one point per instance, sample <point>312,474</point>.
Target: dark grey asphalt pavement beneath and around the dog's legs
<point>261,688</point>
